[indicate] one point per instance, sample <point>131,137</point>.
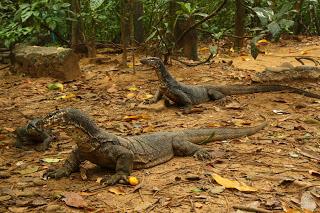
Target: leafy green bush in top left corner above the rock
<point>28,20</point>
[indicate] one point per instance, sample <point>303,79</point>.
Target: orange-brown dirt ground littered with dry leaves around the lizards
<point>281,162</point>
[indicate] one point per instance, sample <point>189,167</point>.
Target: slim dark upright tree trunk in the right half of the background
<point>239,25</point>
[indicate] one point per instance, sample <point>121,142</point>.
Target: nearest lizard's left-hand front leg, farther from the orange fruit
<point>72,164</point>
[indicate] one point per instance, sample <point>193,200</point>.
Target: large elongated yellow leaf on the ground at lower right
<point>232,184</point>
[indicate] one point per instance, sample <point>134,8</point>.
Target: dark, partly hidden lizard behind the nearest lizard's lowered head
<point>28,134</point>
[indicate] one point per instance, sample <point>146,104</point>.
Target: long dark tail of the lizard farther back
<point>244,89</point>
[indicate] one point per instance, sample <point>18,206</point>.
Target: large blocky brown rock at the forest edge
<point>56,62</point>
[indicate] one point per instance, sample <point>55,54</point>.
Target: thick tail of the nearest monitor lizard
<point>203,136</point>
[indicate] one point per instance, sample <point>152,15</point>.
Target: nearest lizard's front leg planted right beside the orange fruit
<point>124,165</point>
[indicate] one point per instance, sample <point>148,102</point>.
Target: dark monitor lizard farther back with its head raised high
<point>188,95</point>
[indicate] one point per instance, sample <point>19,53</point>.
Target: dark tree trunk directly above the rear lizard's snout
<point>138,24</point>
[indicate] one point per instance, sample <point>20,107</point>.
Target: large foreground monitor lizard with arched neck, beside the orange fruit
<point>127,153</point>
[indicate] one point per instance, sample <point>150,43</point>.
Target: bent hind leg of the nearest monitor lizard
<point>186,148</point>
